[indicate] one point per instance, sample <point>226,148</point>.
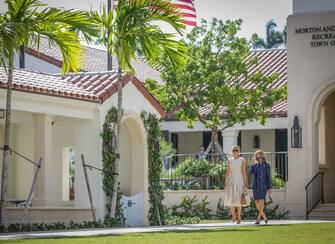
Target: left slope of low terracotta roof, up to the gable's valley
<point>34,82</point>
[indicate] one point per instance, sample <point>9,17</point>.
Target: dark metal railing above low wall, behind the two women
<point>196,172</point>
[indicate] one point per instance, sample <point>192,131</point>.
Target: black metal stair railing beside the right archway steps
<point>314,193</point>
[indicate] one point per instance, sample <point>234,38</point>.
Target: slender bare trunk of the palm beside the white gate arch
<point>117,149</point>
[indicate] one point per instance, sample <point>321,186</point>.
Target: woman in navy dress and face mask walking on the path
<point>261,184</point>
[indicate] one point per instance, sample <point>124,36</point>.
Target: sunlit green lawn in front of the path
<point>285,234</point>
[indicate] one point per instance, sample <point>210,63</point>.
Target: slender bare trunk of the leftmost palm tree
<point>6,154</point>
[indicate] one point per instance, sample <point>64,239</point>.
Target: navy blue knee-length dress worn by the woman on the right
<point>261,182</point>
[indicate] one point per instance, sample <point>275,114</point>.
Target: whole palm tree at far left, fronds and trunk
<point>24,23</point>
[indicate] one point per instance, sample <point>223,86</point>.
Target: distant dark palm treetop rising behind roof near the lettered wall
<point>273,39</point>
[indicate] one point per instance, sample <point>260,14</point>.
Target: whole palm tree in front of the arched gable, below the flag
<point>131,30</point>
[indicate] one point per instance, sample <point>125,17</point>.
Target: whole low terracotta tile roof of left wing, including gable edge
<point>92,87</point>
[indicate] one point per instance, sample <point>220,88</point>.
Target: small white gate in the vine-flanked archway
<point>133,209</point>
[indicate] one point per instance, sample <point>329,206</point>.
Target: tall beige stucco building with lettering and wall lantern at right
<point>311,86</point>
